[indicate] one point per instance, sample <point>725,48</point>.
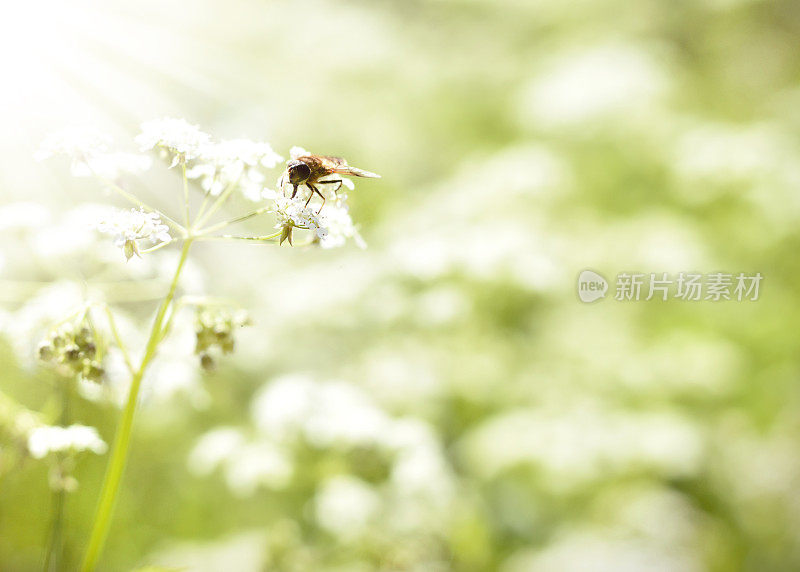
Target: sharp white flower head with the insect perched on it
<point>219,168</point>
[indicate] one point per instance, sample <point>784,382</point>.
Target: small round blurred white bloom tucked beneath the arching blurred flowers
<point>344,506</point>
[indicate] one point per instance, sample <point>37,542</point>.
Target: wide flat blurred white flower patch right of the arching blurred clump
<point>576,446</point>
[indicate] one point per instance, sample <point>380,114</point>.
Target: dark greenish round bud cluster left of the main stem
<point>73,350</point>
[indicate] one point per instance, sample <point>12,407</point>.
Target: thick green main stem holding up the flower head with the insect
<point>122,439</point>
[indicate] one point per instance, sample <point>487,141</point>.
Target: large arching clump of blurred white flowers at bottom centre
<point>386,464</point>
